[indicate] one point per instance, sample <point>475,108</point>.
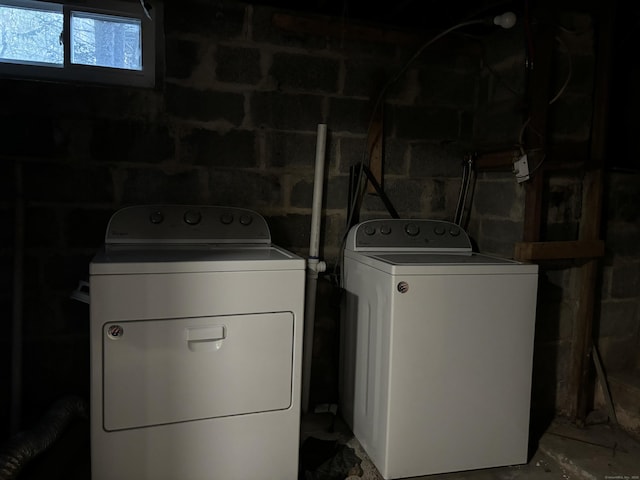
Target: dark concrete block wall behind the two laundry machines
<point>233,122</point>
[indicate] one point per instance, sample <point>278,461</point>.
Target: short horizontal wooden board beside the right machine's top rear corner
<point>534,251</point>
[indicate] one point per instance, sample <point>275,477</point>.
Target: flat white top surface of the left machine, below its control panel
<point>142,259</point>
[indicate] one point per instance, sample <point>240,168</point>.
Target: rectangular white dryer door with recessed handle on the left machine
<point>166,371</point>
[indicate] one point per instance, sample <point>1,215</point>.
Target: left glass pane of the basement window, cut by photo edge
<point>30,35</point>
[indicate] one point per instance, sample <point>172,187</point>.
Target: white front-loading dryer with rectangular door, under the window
<point>196,347</point>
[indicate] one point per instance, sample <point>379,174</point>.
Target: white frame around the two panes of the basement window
<point>91,73</point>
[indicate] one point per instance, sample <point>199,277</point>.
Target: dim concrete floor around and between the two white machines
<point>561,451</point>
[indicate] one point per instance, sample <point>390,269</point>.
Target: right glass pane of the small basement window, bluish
<point>106,41</point>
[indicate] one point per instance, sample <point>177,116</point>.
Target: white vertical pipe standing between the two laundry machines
<point>313,265</point>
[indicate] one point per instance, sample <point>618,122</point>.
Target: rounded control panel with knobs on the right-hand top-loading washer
<point>410,234</point>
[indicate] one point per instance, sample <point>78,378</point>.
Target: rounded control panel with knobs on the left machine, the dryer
<point>186,224</point>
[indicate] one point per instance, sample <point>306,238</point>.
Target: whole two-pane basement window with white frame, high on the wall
<point>96,41</point>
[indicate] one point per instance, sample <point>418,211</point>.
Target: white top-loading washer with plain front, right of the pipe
<point>436,350</point>
